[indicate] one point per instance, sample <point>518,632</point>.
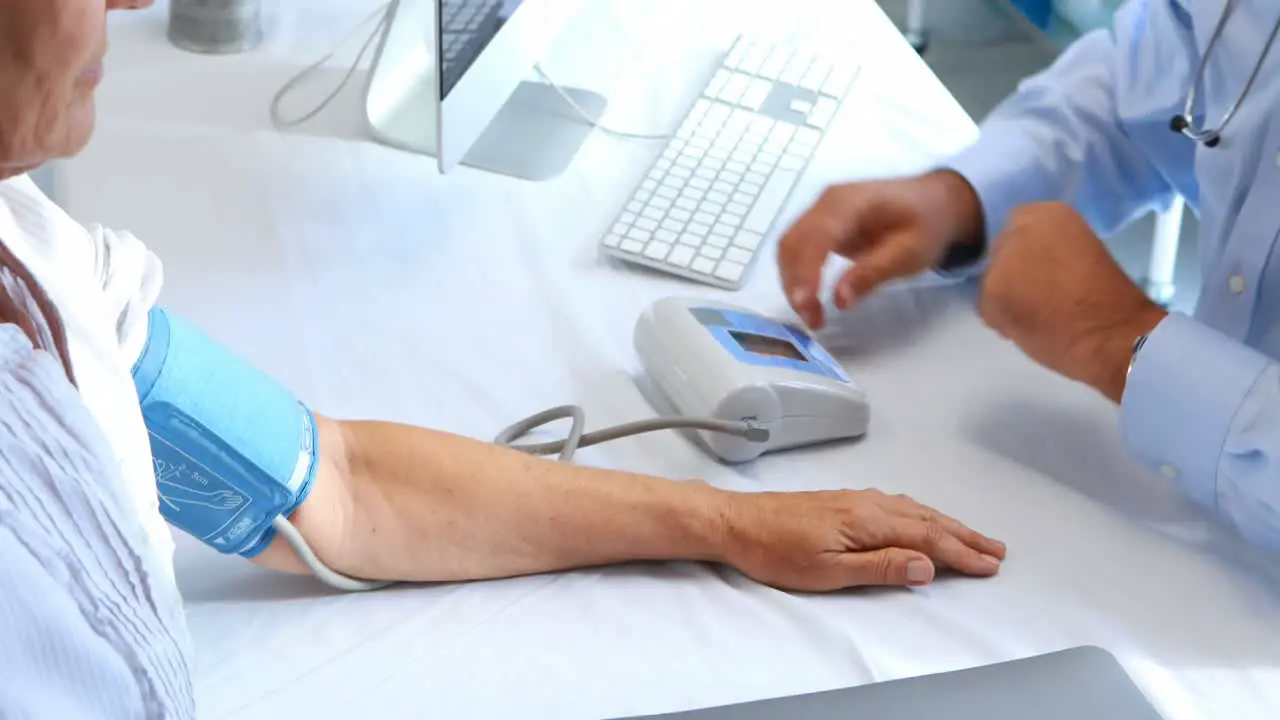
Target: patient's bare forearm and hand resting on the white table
<point>409,504</point>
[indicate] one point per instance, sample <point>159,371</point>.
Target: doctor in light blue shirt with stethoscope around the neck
<point>1178,97</point>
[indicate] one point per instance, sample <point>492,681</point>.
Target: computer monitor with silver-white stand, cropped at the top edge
<point>452,80</point>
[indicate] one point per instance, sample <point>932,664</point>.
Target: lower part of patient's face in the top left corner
<point>51,63</point>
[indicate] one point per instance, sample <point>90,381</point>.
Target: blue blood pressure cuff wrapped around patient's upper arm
<point>232,449</point>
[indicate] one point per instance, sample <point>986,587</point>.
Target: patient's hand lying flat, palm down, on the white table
<point>829,541</point>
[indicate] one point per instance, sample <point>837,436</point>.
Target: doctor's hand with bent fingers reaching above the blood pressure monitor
<point>890,230</point>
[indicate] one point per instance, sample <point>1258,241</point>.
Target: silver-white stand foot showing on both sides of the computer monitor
<point>534,136</point>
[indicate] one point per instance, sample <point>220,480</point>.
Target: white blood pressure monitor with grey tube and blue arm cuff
<point>236,454</point>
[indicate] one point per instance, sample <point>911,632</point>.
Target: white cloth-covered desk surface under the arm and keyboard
<point>376,288</point>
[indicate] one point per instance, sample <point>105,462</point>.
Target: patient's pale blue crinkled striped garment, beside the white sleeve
<point>85,634</point>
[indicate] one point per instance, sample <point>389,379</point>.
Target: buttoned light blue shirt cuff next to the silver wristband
<point>1180,402</point>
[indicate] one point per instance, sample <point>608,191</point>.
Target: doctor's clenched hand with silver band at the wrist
<point>1055,290</point>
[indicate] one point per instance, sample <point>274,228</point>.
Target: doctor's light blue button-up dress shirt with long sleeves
<point>1203,405</point>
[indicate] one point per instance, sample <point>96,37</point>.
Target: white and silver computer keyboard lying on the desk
<point>712,198</point>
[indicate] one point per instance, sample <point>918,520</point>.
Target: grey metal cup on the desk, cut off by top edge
<point>216,28</point>
